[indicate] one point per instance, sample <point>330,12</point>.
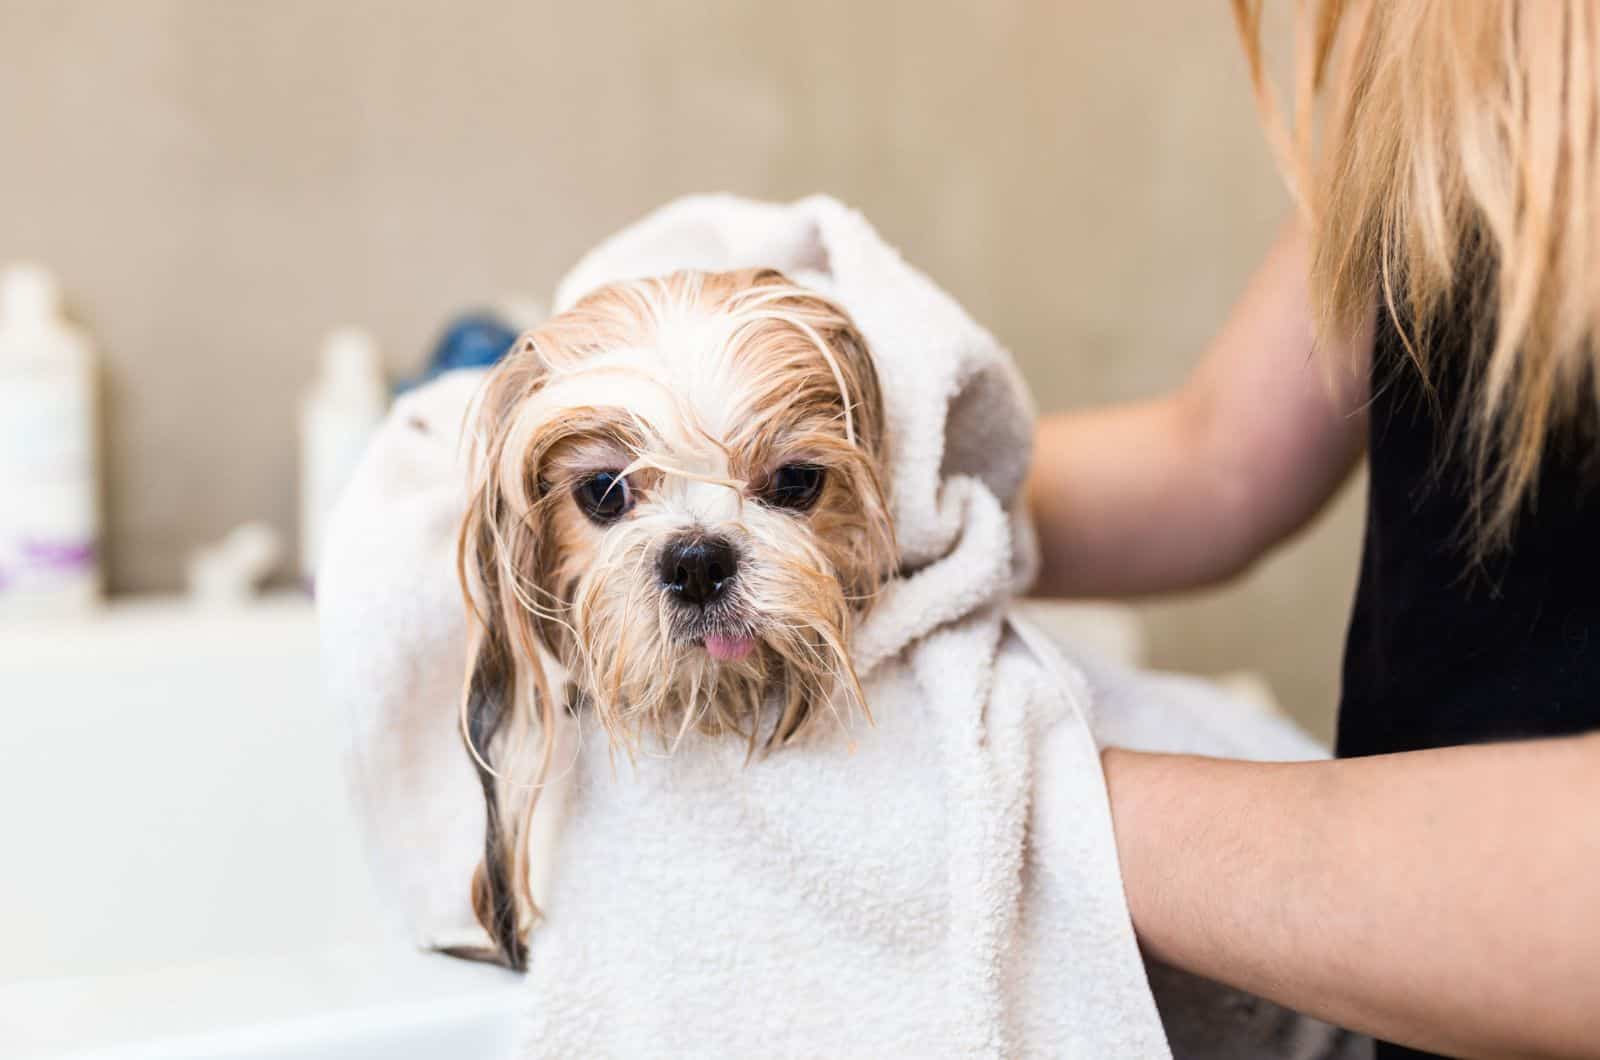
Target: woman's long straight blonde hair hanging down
<point>1446,158</point>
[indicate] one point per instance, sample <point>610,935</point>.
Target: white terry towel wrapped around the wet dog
<point>938,881</point>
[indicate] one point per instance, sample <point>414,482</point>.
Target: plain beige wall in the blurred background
<point>223,182</point>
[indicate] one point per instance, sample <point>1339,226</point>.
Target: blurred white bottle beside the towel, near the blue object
<point>343,411</point>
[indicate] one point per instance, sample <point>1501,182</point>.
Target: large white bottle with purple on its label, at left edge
<point>50,520</point>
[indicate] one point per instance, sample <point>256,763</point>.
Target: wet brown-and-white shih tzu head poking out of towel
<point>678,515</point>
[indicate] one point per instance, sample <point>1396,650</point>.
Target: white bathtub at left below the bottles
<point>180,873</point>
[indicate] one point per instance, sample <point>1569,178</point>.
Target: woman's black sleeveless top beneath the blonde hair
<point>1444,651</point>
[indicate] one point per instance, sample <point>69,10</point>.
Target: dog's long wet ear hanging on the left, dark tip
<point>508,713</point>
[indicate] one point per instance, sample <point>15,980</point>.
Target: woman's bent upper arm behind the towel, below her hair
<point>1193,488</point>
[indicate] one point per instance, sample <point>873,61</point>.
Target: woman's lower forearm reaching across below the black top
<point>1442,899</point>
